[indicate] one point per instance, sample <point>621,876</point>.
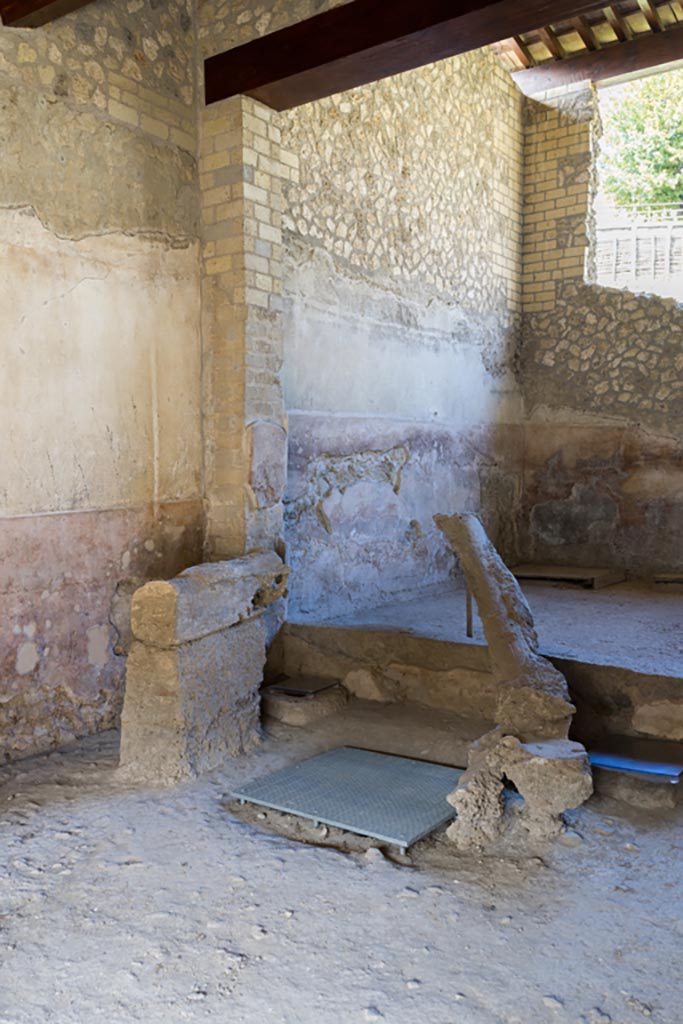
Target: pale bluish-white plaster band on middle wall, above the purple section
<point>356,349</point>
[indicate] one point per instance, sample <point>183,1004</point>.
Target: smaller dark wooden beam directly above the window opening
<point>645,52</point>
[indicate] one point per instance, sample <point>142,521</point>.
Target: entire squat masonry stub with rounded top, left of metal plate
<point>196,667</point>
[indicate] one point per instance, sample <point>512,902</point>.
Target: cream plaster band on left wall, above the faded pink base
<point>100,370</point>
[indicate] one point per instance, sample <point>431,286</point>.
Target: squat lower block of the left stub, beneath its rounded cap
<point>188,708</point>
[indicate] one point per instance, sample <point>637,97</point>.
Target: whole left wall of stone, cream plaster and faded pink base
<point>100,410</point>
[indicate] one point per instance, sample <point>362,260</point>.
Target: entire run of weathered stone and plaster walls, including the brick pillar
<point>186,289</point>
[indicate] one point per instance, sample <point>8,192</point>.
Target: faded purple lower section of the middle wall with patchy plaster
<point>361,498</point>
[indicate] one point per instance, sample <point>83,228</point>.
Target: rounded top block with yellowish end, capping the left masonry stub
<point>206,599</point>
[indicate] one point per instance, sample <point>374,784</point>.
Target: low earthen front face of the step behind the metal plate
<point>455,676</point>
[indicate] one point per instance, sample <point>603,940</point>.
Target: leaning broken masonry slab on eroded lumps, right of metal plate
<point>530,747</point>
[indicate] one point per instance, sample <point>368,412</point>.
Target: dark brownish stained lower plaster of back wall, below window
<point>604,496</point>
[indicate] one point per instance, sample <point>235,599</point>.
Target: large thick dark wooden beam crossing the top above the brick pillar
<point>368,40</point>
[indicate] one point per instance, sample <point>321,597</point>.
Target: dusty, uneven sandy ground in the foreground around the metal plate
<point>124,905</point>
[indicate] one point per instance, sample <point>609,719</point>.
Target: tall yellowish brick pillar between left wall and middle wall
<point>242,174</point>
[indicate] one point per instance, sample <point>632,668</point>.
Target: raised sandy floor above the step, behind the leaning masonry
<point>631,625</point>
